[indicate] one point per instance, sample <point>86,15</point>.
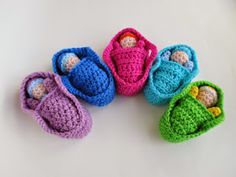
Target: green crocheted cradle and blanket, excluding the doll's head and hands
<point>187,118</point>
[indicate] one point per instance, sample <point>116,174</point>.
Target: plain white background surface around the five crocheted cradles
<point>124,141</point>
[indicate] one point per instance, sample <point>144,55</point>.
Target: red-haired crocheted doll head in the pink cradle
<point>128,40</point>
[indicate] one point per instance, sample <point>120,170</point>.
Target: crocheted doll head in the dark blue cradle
<point>67,61</point>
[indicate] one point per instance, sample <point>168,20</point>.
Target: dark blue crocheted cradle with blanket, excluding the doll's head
<point>90,79</point>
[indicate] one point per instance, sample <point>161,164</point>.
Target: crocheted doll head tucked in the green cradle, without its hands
<point>207,96</point>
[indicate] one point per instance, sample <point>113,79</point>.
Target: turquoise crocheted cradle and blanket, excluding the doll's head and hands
<point>167,78</point>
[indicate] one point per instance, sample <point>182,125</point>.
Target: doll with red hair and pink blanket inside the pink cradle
<point>129,56</point>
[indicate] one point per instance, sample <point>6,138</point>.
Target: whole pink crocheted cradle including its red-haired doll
<point>129,56</point>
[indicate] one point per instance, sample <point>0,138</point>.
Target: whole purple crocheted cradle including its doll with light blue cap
<point>57,112</point>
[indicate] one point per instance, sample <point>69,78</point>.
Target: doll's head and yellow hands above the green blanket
<point>208,97</point>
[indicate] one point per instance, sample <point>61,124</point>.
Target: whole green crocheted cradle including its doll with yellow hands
<point>195,110</point>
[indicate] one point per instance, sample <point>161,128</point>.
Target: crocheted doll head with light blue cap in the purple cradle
<point>36,89</point>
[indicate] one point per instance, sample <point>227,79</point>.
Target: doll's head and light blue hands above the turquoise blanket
<point>181,56</point>
